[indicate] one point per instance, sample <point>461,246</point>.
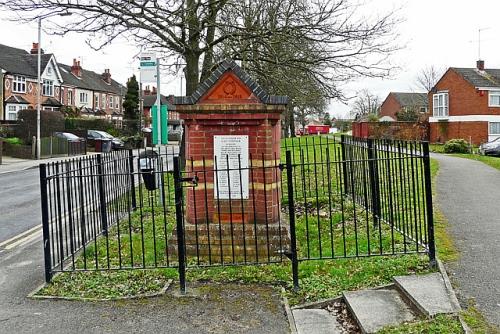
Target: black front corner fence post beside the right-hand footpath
<point>428,204</point>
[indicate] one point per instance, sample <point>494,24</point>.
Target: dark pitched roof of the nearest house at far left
<point>18,61</point>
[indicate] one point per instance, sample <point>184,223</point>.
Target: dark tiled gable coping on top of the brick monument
<point>228,65</point>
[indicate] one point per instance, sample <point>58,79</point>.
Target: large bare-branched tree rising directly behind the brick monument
<point>339,42</point>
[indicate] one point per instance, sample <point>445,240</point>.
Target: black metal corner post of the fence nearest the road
<point>45,222</point>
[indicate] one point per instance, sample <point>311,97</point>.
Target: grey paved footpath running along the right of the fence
<point>468,193</point>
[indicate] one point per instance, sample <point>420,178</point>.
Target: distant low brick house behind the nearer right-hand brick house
<point>396,102</point>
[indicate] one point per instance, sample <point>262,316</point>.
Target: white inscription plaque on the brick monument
<point>231,153</point>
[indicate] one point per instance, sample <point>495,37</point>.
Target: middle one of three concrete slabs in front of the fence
<point>375,309</point>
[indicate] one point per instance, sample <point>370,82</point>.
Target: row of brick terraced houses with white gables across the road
<point>95,95</point>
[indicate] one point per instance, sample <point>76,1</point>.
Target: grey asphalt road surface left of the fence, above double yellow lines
<point>19,202</point>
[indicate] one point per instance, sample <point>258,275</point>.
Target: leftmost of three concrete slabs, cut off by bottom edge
<point>315,321</point>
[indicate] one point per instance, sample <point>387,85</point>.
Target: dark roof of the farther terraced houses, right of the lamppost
<point>90,80</point>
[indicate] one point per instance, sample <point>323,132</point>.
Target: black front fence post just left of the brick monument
<point>180,226</point>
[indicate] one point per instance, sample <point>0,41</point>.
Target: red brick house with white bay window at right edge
<point>465,103</point>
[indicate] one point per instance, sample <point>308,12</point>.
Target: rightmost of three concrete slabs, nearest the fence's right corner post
<point>427,292</point>
